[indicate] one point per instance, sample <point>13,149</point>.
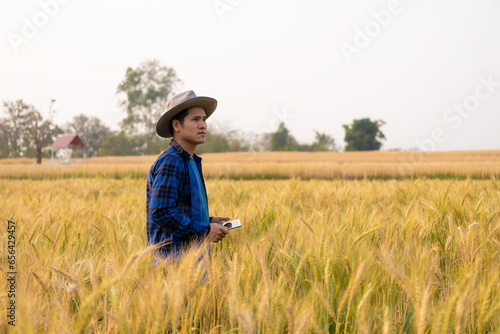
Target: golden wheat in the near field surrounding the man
<point>324,256</point>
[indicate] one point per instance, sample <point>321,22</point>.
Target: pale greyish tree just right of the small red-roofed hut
<point>90,130</point>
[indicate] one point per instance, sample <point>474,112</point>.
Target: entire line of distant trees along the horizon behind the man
<point>144,93</point>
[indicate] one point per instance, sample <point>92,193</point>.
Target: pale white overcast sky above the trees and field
<point>265,59</point>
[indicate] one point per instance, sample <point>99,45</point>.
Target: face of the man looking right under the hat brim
<point>194,128</point>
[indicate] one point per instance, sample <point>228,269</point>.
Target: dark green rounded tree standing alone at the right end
<point>363,135</point>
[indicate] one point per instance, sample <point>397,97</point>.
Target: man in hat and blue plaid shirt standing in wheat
<point>177,206</point>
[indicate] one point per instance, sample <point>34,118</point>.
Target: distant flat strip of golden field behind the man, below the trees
<point>281,165</point>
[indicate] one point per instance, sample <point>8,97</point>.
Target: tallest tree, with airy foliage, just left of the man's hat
<point>147,89</point>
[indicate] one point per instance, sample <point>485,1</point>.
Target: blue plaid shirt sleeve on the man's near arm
<point>166,200</point>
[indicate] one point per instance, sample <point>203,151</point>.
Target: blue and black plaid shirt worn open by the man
<point>173,219</point>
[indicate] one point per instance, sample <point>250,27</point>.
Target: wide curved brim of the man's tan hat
<point>207,103</point>
